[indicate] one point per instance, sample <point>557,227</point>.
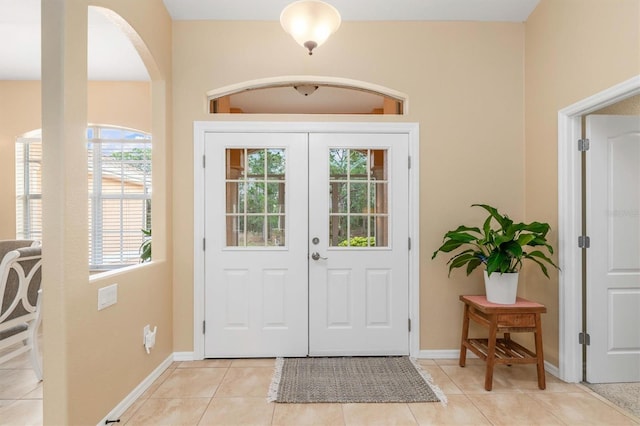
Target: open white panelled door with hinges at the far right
<point>613,260</point>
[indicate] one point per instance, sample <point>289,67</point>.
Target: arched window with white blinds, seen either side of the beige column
<point>119,175</point>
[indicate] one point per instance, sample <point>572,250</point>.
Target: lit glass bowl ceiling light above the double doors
<point>310,22</point>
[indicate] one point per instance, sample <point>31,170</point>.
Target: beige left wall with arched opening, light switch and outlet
<point>94,359</point>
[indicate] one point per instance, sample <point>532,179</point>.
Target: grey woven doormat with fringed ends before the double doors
<point>352,380</point>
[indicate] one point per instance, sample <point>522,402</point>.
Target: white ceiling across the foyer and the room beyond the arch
<point>112,57</point>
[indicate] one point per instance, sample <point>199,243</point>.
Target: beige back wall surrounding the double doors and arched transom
<point>465,86</point>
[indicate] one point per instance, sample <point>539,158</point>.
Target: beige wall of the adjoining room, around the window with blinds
<point>119,103</point>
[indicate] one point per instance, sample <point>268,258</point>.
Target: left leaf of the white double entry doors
<point>256,287</point>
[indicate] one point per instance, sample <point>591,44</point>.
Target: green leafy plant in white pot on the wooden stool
<point>501,246</point>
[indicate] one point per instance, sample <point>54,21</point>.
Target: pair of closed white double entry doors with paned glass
<point>306,244</point>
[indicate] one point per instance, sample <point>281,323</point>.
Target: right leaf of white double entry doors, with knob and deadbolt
<point>358,244</point>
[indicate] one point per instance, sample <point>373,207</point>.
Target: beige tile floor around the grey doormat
<point>233,392</point>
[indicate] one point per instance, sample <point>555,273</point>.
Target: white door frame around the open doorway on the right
<point>570,222</point>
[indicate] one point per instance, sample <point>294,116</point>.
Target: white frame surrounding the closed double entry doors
<point>200,128</point>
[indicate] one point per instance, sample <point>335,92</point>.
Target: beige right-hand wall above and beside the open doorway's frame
<point>574,49</point>
